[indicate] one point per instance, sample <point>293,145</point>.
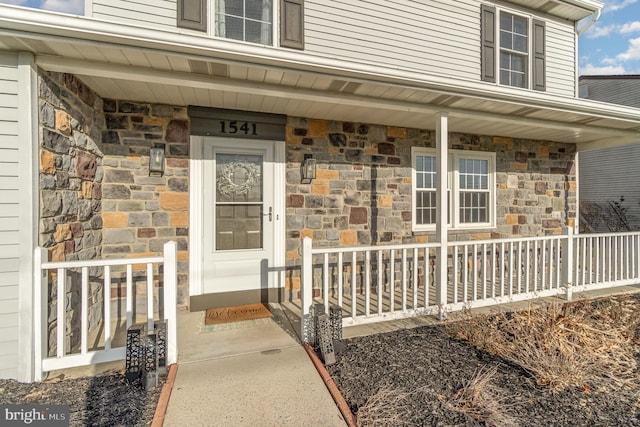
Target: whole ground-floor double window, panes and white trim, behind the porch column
<point>470,189</point>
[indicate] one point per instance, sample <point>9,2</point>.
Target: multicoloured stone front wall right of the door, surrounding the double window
<point>362,194</point>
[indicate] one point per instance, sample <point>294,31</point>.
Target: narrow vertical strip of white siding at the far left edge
<point>9,215</point>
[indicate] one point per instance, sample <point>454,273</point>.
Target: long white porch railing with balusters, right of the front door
<point>378,283</point>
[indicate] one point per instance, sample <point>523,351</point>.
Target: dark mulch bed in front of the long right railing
<point>422,368</point>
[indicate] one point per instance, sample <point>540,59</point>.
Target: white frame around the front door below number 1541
<point>196,214</point>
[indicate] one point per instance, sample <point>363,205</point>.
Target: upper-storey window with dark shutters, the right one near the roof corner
<point>518,53</point>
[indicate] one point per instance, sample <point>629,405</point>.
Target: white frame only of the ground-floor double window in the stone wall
<point>453,186</point>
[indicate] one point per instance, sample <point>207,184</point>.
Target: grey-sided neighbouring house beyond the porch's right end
<point>609,189</point>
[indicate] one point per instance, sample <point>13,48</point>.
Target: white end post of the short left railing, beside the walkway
<point>170,300</point>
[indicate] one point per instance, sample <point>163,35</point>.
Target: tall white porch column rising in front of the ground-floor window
<point>442,205</point>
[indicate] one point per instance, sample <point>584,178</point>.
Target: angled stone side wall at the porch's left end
<point>71,122</point>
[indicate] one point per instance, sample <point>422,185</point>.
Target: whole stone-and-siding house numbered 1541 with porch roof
<point>380,94</point>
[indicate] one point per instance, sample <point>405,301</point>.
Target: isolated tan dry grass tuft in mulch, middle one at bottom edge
<point>481,401</point>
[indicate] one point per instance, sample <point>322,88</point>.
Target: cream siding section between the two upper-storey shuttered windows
<point>436,37</point>
